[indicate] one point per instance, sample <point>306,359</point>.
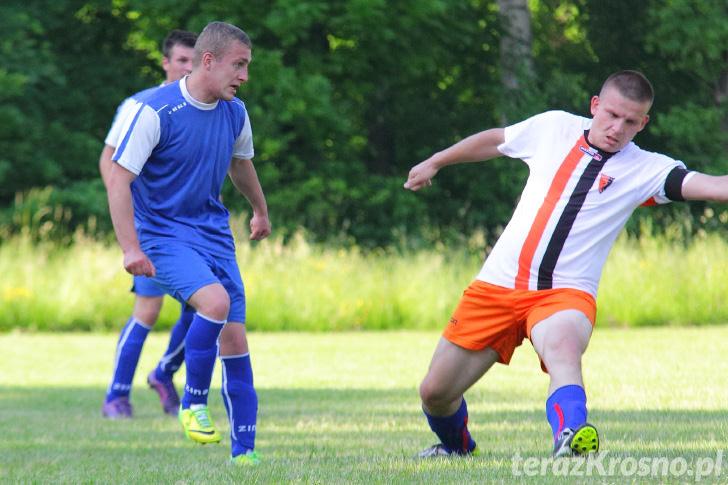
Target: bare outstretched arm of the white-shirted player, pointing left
<point>475,148</point>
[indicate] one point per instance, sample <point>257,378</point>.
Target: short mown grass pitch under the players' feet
<point>343,408</point>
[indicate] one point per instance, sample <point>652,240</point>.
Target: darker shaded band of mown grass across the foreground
<point>57,435</point>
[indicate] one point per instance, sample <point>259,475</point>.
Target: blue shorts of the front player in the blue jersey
<point>182,270</point>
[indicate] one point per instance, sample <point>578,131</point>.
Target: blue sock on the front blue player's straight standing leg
<point>241,401</point>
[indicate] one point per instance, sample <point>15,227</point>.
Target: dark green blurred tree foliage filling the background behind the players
<point>346,95</point>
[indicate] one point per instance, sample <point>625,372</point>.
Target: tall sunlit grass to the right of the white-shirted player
<point>652,281</point>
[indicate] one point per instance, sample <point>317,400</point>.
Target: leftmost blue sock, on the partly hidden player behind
<point>128,350</point>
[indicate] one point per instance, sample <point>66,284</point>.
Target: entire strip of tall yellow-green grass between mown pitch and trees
<point>302,286</point>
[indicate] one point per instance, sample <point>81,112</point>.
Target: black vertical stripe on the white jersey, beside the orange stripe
<point>566,221</point>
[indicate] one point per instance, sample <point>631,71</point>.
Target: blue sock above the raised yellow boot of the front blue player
<point>200,355</point>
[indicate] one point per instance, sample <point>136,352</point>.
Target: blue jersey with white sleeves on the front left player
<point>180,149</point>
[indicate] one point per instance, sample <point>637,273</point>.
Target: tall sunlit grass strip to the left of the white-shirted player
<point>293,286</point>
